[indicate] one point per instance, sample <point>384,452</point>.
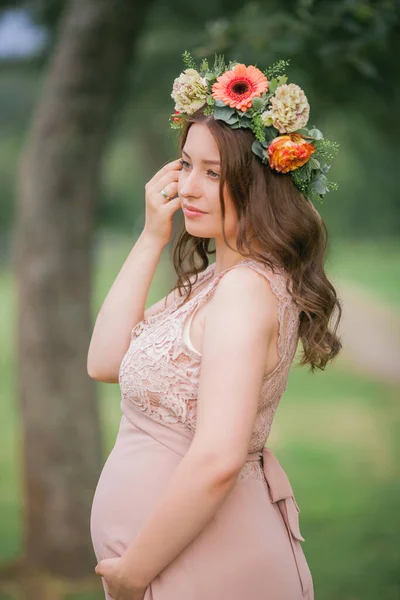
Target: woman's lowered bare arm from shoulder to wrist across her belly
<point>241,324</point>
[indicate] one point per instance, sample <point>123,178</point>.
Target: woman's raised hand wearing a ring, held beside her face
<point>159,210</point>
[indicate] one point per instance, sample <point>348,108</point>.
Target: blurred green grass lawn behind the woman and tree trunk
<point>335,434</point>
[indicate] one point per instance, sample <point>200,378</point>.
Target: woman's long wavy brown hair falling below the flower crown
<point>271,210</point>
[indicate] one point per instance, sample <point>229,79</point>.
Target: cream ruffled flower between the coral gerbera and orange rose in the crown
<point>289,109</point>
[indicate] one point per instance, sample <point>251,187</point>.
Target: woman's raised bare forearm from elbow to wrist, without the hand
<point>122,309</point>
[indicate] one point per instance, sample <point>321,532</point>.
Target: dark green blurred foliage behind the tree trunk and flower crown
<point>342,53</point>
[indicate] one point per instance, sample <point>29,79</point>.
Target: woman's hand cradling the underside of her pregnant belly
<point>118,585</point>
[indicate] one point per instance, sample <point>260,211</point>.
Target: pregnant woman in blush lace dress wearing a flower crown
<point>191,504</point>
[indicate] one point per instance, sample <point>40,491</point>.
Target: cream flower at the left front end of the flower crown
<point>189,91</point>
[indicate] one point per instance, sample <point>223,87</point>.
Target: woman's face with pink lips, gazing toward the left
<point>198,185</point>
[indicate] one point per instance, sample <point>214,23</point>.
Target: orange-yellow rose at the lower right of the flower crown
<point>289,152</point>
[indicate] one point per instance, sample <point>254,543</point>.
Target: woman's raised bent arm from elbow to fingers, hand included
<point>125,302</point>
